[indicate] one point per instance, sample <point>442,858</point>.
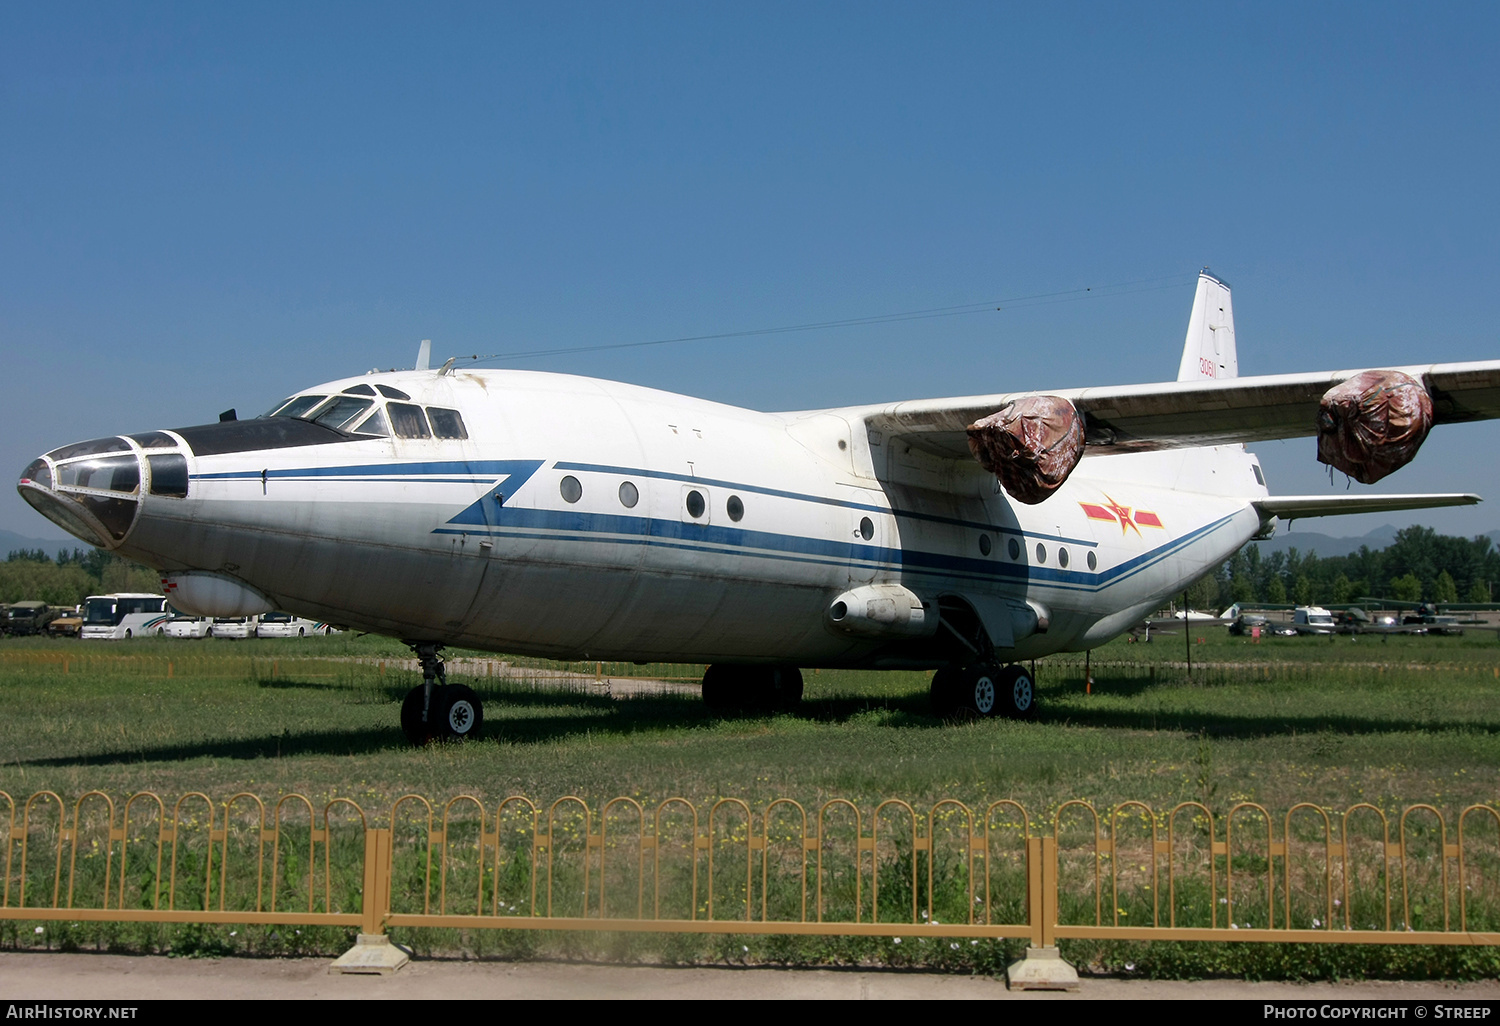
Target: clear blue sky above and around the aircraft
<point>209,206</point>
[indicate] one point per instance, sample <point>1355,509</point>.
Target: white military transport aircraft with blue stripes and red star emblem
<point>574,518</point>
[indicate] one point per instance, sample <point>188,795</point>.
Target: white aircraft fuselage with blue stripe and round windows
<point>592,520</point>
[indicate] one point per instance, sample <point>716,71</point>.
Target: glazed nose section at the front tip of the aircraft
<point>91,490</point>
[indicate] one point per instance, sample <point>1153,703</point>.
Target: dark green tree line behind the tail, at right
<point>1420,566</point>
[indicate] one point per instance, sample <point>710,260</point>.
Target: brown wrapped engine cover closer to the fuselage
<point>1031,446</point>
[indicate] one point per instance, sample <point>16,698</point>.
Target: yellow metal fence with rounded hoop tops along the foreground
<point>1310,874</point>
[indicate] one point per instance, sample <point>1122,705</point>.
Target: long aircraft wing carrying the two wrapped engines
<point>1178,415</point>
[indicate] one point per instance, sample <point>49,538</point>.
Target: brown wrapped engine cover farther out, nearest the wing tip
<point>1373,424</point>
